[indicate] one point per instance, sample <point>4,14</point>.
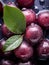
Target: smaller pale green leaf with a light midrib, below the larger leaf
<point>12,43</point>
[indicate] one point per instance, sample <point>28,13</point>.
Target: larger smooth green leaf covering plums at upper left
<point>14,19</point>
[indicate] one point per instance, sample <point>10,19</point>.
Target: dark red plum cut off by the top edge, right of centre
<point>25,3</point>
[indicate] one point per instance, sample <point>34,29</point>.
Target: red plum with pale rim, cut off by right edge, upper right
<point>43,19</point>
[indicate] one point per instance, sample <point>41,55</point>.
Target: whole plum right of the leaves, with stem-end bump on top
<point>33,33</point>
